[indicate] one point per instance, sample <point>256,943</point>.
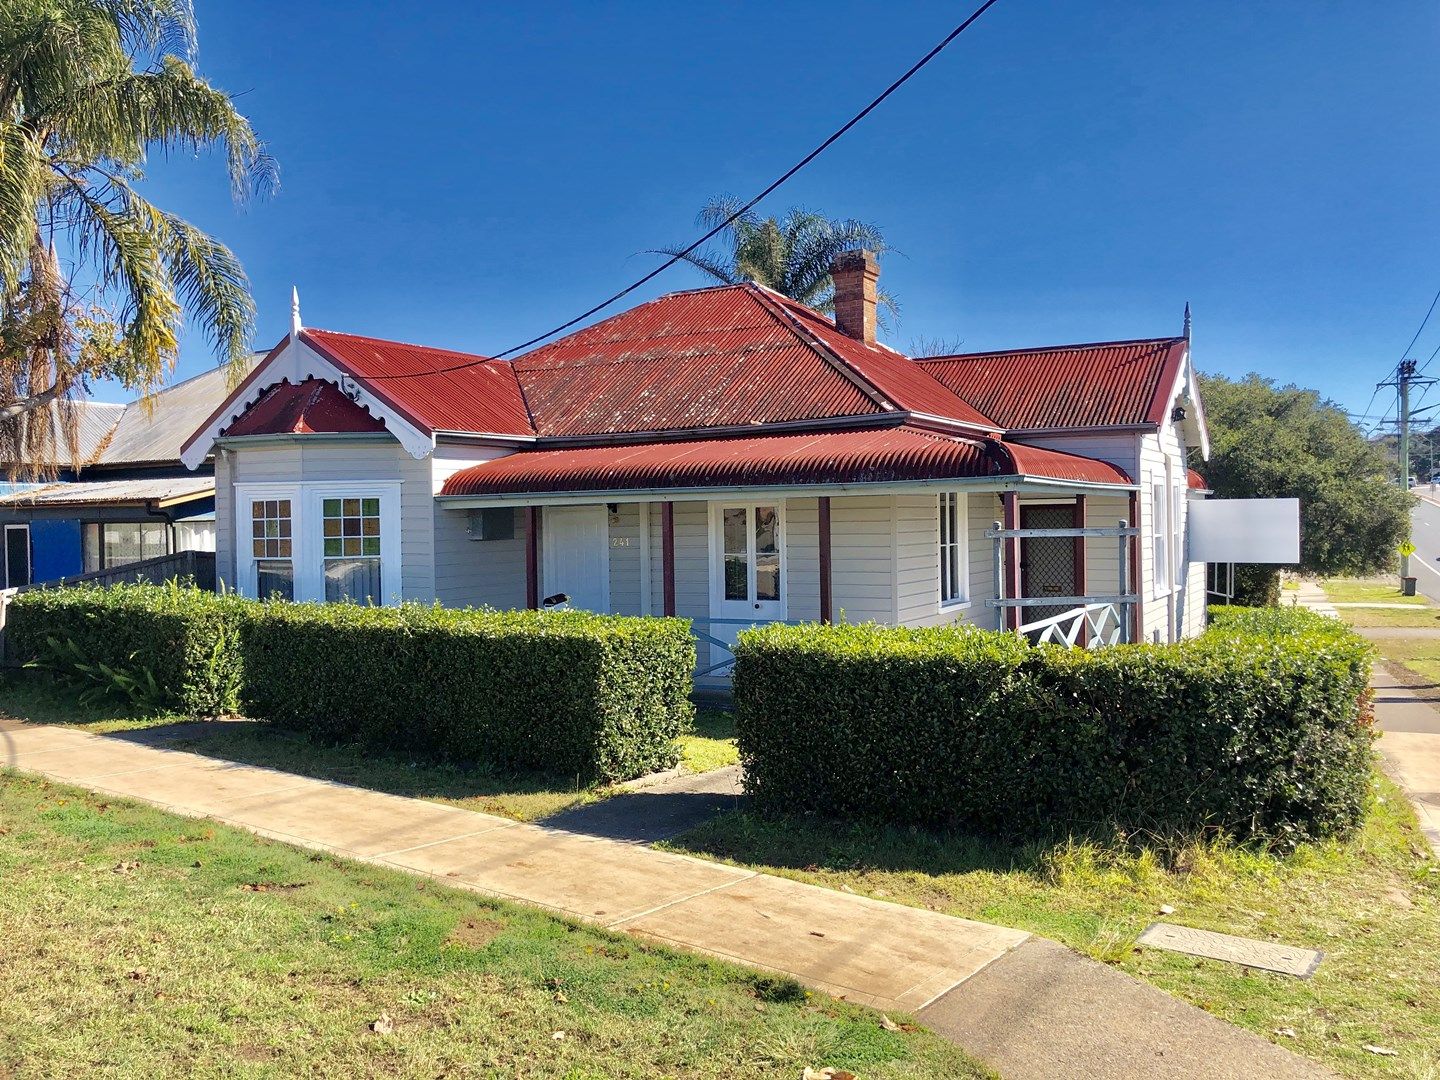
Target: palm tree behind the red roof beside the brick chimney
<point>790,254</point>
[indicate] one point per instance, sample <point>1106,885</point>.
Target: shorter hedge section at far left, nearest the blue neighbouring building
<point>165,646</point>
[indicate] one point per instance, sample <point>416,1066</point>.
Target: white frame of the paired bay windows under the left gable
<point>307,534</point>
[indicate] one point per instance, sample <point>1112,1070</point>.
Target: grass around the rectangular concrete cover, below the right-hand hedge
<point>1372,905</point>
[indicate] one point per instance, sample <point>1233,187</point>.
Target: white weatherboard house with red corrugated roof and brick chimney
<point>728,456</point>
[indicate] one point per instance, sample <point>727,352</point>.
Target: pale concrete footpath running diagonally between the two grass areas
<point>1026,1006</point>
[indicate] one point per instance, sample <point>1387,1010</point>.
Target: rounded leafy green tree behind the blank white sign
<point>1287,443</point>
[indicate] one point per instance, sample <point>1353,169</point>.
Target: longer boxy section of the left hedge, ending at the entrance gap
<point>598,696</point>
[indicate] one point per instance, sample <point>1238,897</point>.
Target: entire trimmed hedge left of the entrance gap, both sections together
<point>598,696</point>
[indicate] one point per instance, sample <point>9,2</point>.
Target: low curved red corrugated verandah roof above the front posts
<point>873,456</point>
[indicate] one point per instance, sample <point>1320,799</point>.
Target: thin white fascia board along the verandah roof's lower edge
<point>538,499</point>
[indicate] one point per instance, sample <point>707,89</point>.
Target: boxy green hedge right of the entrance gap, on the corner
<point>1259,728</point>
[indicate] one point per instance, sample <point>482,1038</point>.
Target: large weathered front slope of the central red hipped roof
<point>705,359</point>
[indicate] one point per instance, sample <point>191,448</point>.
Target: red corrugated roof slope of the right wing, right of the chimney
<point>1111,384</point>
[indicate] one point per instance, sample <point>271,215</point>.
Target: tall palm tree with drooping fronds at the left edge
<point>89,91</point>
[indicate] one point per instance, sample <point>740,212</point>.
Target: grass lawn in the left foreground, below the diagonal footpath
<point>142,944</point>
